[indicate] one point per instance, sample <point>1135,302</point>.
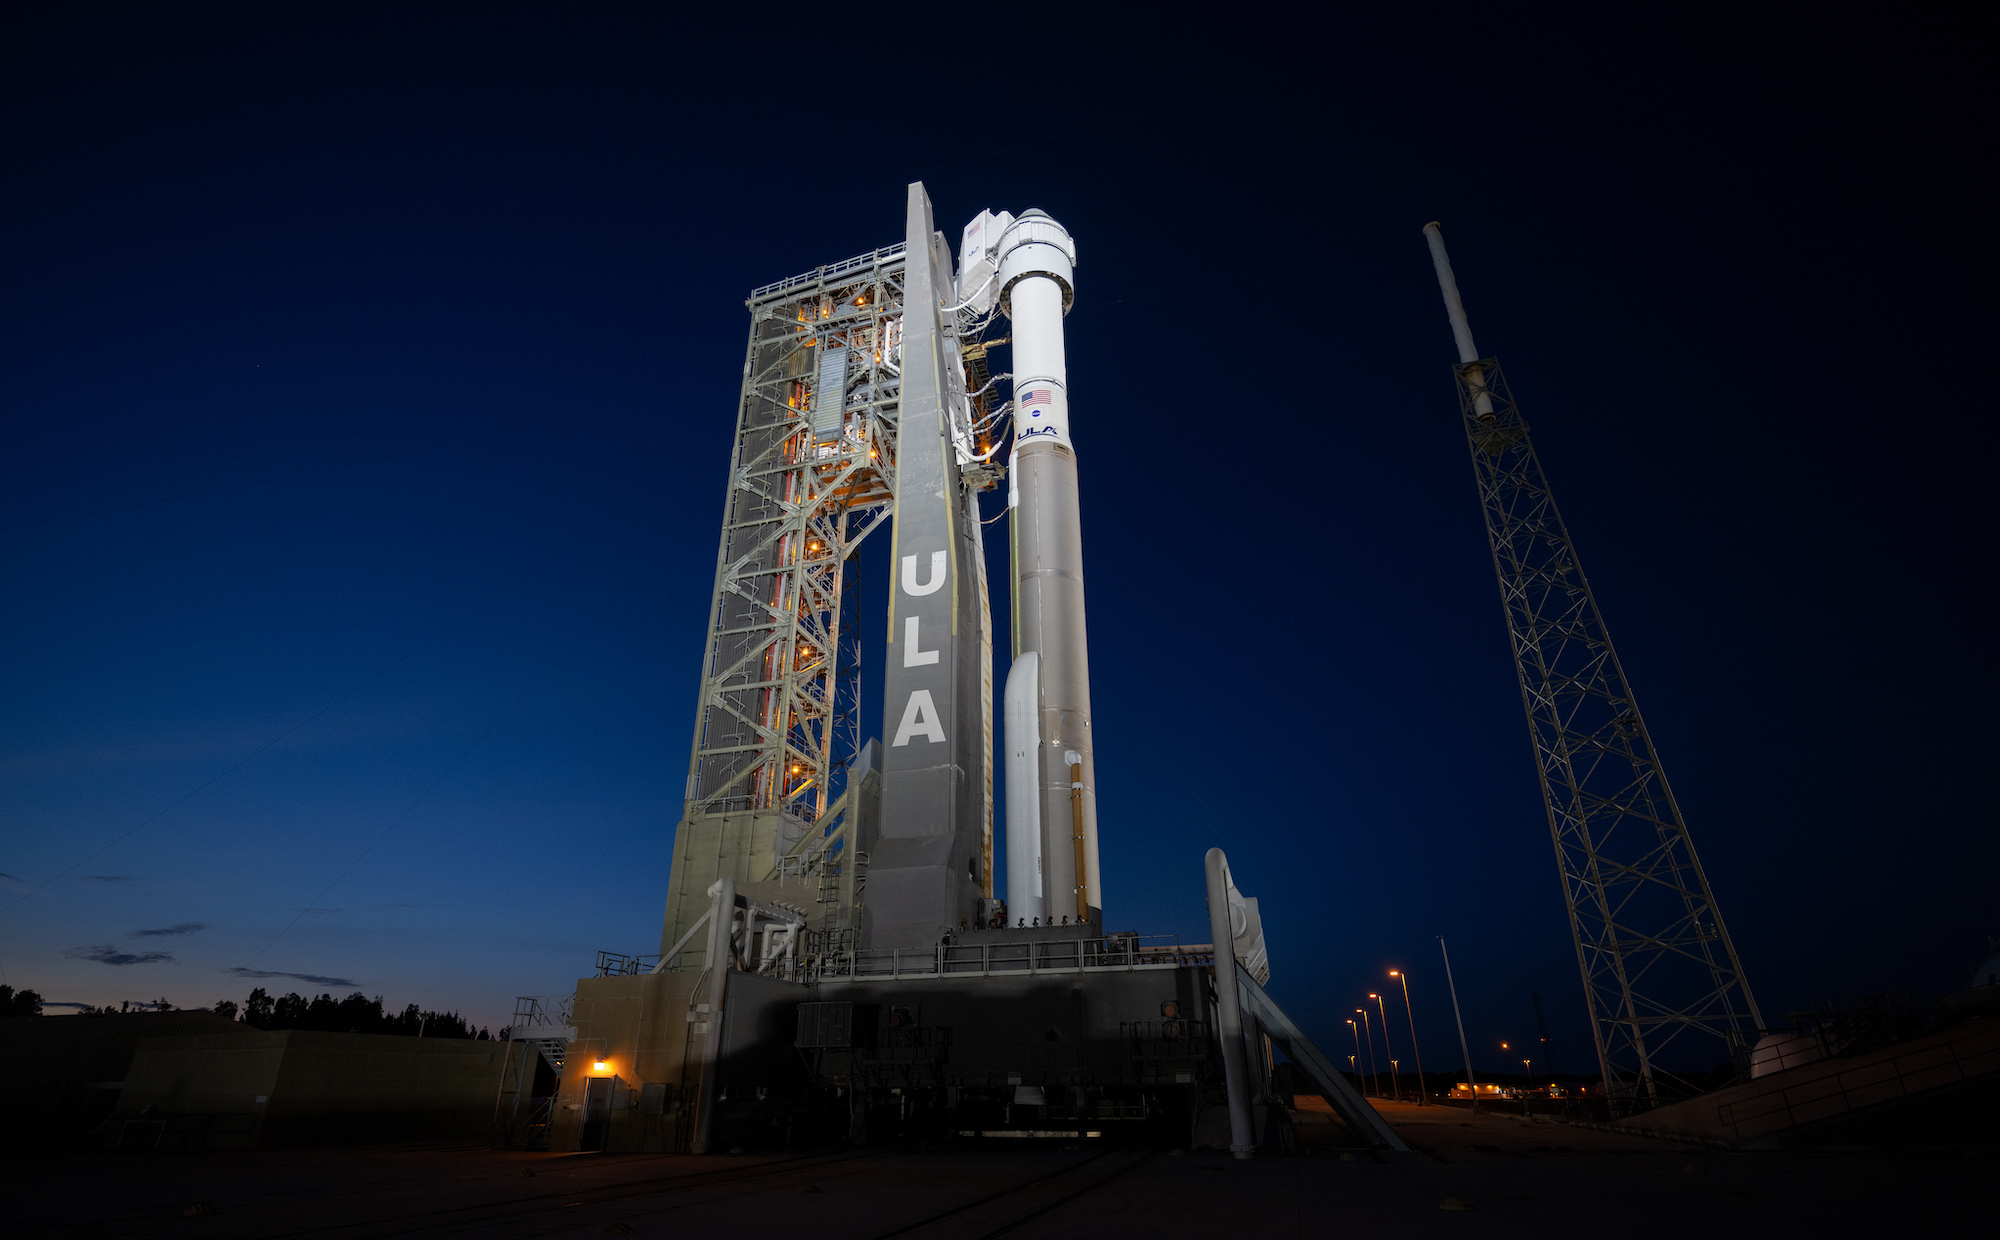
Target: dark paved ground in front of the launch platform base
<point>1519,1179</point>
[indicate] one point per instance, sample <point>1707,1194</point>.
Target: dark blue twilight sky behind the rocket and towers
<point>367,389</point>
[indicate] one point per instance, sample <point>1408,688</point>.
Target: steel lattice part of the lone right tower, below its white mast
<point>1651,943</point>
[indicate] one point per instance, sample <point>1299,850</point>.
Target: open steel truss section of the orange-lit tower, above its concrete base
<point>811,477</point>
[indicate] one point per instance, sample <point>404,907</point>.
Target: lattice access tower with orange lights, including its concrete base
<point>775,791</point>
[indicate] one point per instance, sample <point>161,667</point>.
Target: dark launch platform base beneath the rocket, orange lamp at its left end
<point>1121,1053</point>
